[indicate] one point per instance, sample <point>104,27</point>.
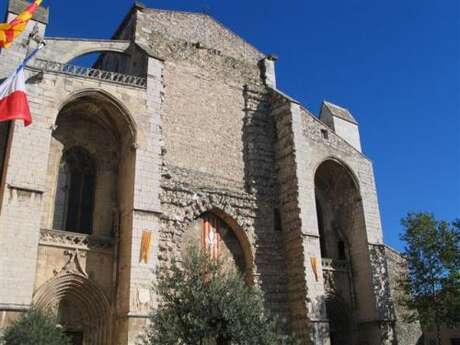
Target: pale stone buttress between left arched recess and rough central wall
<point>146,211</point>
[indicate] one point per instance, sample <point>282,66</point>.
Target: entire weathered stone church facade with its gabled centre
<point>207,134</point>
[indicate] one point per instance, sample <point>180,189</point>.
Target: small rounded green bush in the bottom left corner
<point>34,327</point>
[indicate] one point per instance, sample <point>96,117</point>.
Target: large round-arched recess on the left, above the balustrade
<point>98,128</point>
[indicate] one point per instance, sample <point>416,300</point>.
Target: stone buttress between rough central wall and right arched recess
<point>301,240</point>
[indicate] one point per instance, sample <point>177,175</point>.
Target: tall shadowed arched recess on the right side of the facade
<point>342,241</point>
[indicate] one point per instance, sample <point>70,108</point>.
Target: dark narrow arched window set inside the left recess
<point>74,201</point>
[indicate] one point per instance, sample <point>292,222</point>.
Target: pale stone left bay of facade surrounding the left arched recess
<point>28,199</point>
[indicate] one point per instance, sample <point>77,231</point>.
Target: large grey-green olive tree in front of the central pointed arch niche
<point>203,303</point>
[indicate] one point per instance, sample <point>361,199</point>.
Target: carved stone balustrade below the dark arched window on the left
<point>72,240</point>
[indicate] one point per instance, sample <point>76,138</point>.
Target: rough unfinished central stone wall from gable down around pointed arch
<point>217,141</point>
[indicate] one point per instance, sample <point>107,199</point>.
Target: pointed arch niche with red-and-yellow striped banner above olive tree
<point>211,233</point>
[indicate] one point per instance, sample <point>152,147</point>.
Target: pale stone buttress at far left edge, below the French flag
<point>25,184</point>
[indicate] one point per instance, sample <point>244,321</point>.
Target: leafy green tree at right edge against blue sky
<point>432,285</point>
